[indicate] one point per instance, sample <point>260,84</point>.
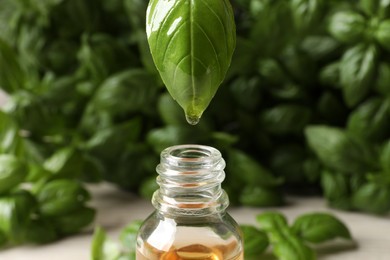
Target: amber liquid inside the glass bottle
<point>193,252</point>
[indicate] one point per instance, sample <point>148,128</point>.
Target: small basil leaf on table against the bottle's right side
<point>256,241</point>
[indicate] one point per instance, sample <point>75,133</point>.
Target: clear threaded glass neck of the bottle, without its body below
<point>190,178</point>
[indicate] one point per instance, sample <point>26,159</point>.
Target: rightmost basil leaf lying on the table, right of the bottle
<point>320,227</point>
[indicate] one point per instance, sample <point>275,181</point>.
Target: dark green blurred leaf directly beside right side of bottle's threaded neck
<point>243,168</point>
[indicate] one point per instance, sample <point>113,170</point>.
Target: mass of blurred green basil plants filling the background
<point>304,109</point>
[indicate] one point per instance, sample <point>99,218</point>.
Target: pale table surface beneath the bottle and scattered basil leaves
<point>116,208</point>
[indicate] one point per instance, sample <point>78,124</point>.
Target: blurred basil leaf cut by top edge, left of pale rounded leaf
<point>307,13</point>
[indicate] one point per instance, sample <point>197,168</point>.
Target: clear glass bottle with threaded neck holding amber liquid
<point>190,221</point>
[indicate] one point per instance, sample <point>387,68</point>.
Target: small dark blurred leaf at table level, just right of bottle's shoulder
<point>258,196</point>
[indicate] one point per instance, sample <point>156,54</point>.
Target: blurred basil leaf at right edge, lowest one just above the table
<point>373,198</point>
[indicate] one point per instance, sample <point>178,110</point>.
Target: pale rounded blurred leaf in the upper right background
<point>347,26</point>
